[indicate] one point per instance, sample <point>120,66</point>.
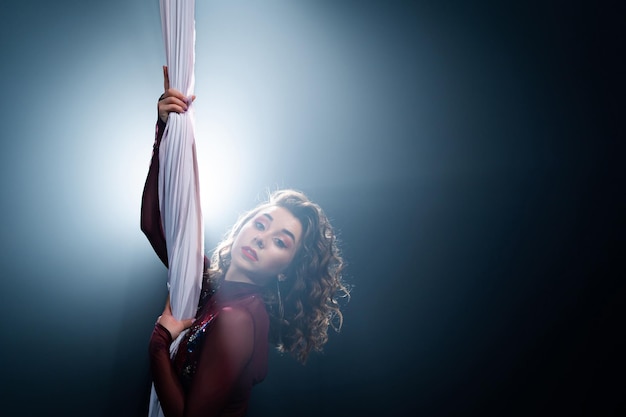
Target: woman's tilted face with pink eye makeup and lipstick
<point>265,246</point>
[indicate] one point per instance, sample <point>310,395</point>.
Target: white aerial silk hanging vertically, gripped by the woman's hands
<point>179,188</point>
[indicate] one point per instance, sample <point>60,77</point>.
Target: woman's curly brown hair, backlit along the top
<point>307,302</point>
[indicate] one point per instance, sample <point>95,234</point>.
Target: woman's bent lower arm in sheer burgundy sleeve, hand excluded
<point>226,350</point>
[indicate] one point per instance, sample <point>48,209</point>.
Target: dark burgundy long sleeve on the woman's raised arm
<point>151,224</point>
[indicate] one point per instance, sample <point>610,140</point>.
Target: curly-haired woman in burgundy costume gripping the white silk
<point>274,279</point>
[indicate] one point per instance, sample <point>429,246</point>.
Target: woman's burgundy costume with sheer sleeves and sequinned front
<point>224,353</point>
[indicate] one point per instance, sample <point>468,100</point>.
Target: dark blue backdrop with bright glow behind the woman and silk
<point>467,152</point>
